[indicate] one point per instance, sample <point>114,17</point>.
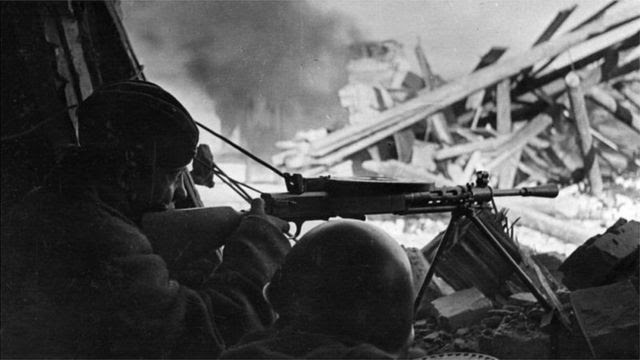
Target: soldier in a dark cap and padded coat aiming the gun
<point>79,277</point>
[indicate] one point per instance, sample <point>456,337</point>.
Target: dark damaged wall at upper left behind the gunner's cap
<point>53,55</point>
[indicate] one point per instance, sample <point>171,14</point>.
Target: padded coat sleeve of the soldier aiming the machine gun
<point>185,322</point>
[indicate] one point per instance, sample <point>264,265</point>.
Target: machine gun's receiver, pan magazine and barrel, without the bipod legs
<point>323,198</point>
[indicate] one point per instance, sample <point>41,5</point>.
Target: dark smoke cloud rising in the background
<point>272,67</point>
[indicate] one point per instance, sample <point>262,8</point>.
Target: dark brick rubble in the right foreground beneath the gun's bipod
<point>596,287</point>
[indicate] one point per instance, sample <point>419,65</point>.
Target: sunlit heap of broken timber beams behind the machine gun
<point>567,112</point>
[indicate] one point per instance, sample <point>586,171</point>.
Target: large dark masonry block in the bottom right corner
<point>608,317</point>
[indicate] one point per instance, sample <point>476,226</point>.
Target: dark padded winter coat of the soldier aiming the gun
<point>80,280</point>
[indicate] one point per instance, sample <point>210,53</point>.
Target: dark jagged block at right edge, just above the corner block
<point>605,258</point>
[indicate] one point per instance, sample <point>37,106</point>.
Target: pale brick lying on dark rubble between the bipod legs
<point>462,308</point>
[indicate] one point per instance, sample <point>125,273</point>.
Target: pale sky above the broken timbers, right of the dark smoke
<point>456,33</point>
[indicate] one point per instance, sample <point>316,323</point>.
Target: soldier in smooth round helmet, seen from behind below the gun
<point>344,291</point>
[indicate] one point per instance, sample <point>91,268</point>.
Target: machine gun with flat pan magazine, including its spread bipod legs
<point>323,198</point>
